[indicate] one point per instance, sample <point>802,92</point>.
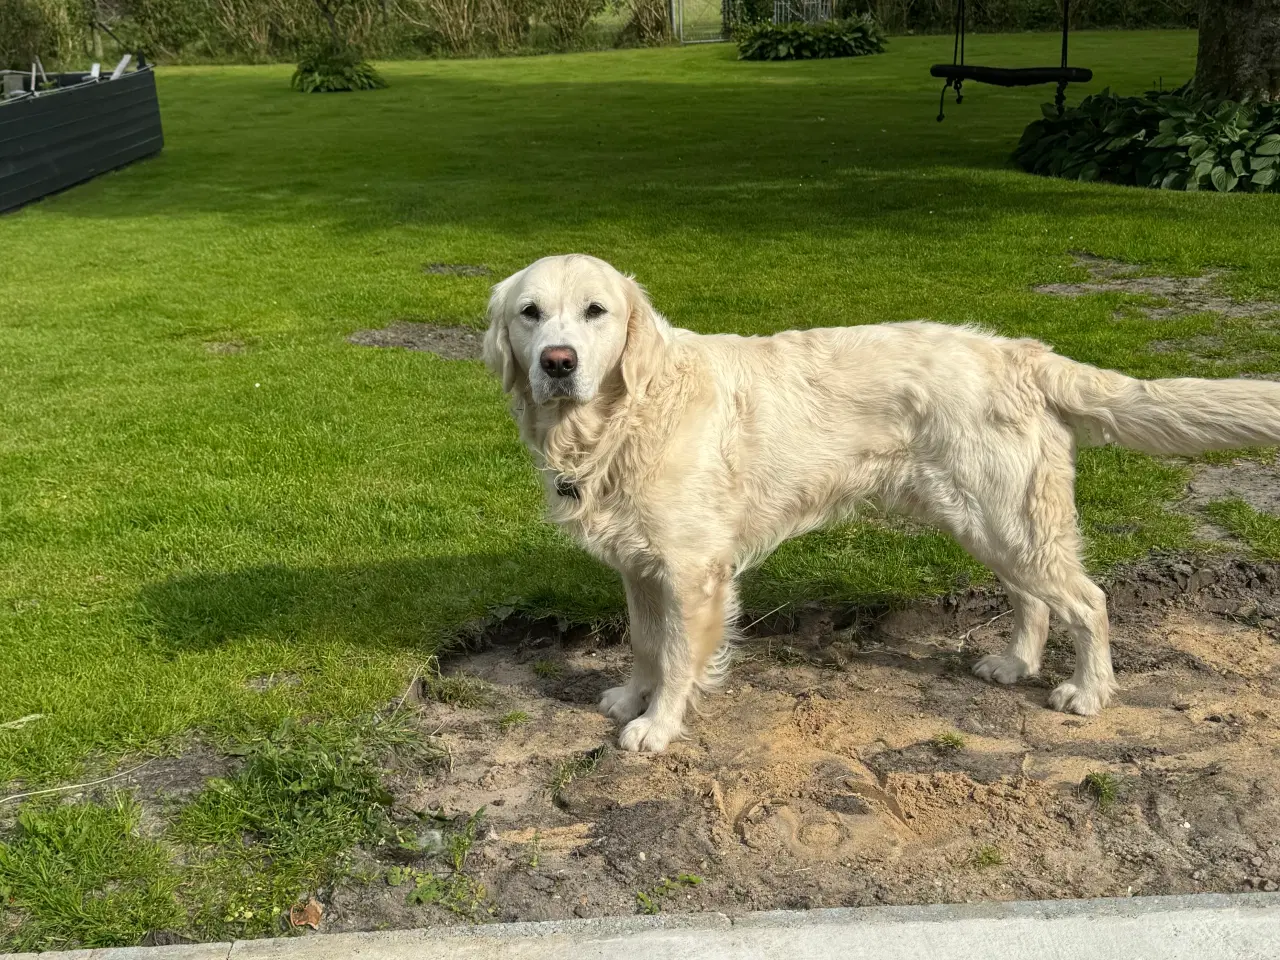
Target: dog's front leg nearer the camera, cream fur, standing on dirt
<point>692,632</point>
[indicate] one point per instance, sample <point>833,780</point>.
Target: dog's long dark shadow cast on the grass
<point>386,605</point>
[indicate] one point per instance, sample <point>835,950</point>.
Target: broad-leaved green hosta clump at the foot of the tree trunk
<point>1169,140</point>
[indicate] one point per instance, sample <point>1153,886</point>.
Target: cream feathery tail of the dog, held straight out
<point>1183,417</point>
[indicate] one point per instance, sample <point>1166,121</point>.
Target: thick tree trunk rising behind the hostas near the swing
<point>1240,49</point>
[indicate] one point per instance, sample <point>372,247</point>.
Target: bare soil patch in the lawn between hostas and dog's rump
<point>1180,295</point>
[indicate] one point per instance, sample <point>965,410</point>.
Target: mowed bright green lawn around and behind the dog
<point>204,483</point>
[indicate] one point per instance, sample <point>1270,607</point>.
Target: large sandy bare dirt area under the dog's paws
<point>819,779</point>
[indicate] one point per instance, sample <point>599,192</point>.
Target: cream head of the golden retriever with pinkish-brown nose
<point>565,327</point>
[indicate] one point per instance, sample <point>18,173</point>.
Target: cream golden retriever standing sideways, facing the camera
<point>680,460</point>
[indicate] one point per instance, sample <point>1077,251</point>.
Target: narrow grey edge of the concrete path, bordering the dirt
<point>406,940</point>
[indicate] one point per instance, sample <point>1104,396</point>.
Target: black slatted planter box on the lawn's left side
<point>70,135</point>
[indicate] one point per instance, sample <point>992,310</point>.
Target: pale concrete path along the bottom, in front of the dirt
<point>1205,927</point>
